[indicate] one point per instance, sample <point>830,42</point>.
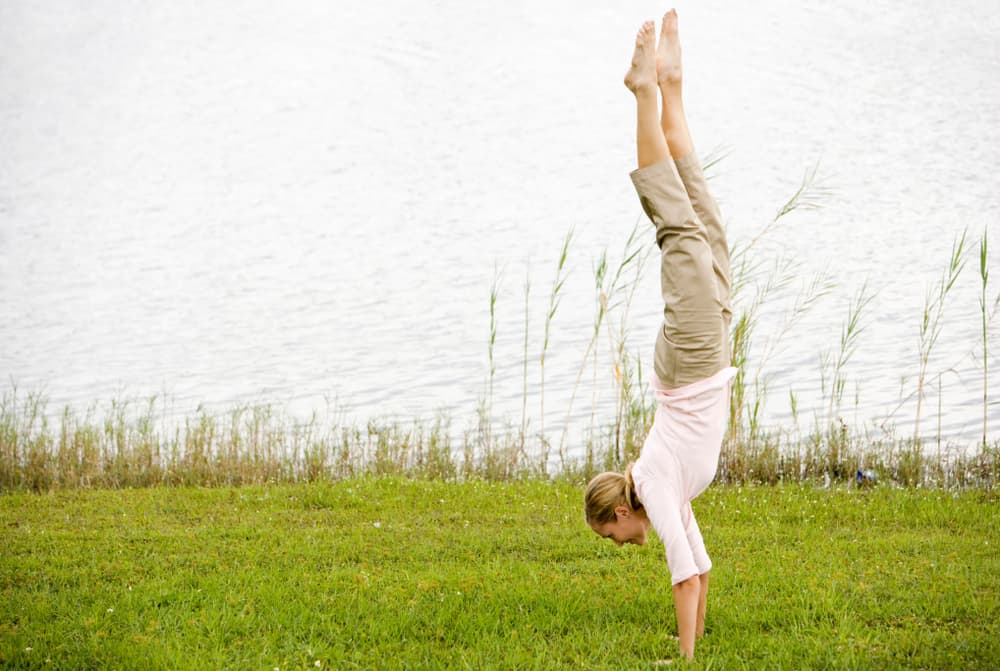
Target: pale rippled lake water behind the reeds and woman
<point>307,206</point>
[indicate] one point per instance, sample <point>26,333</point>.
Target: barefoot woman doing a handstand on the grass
<point>691,358</point>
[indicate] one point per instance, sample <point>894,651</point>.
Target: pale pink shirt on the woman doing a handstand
<point>678,461</point>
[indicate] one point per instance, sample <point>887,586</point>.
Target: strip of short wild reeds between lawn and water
<point>131,445</point>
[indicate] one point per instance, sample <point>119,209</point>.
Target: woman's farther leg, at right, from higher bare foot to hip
<point>673,123</point>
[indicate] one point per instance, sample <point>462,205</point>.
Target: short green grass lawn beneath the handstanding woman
<point>399,573</point>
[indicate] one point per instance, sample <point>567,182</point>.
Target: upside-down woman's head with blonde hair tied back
<point>613,510</point>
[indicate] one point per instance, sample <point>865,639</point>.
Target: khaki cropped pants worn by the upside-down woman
<point>693,343</point>
